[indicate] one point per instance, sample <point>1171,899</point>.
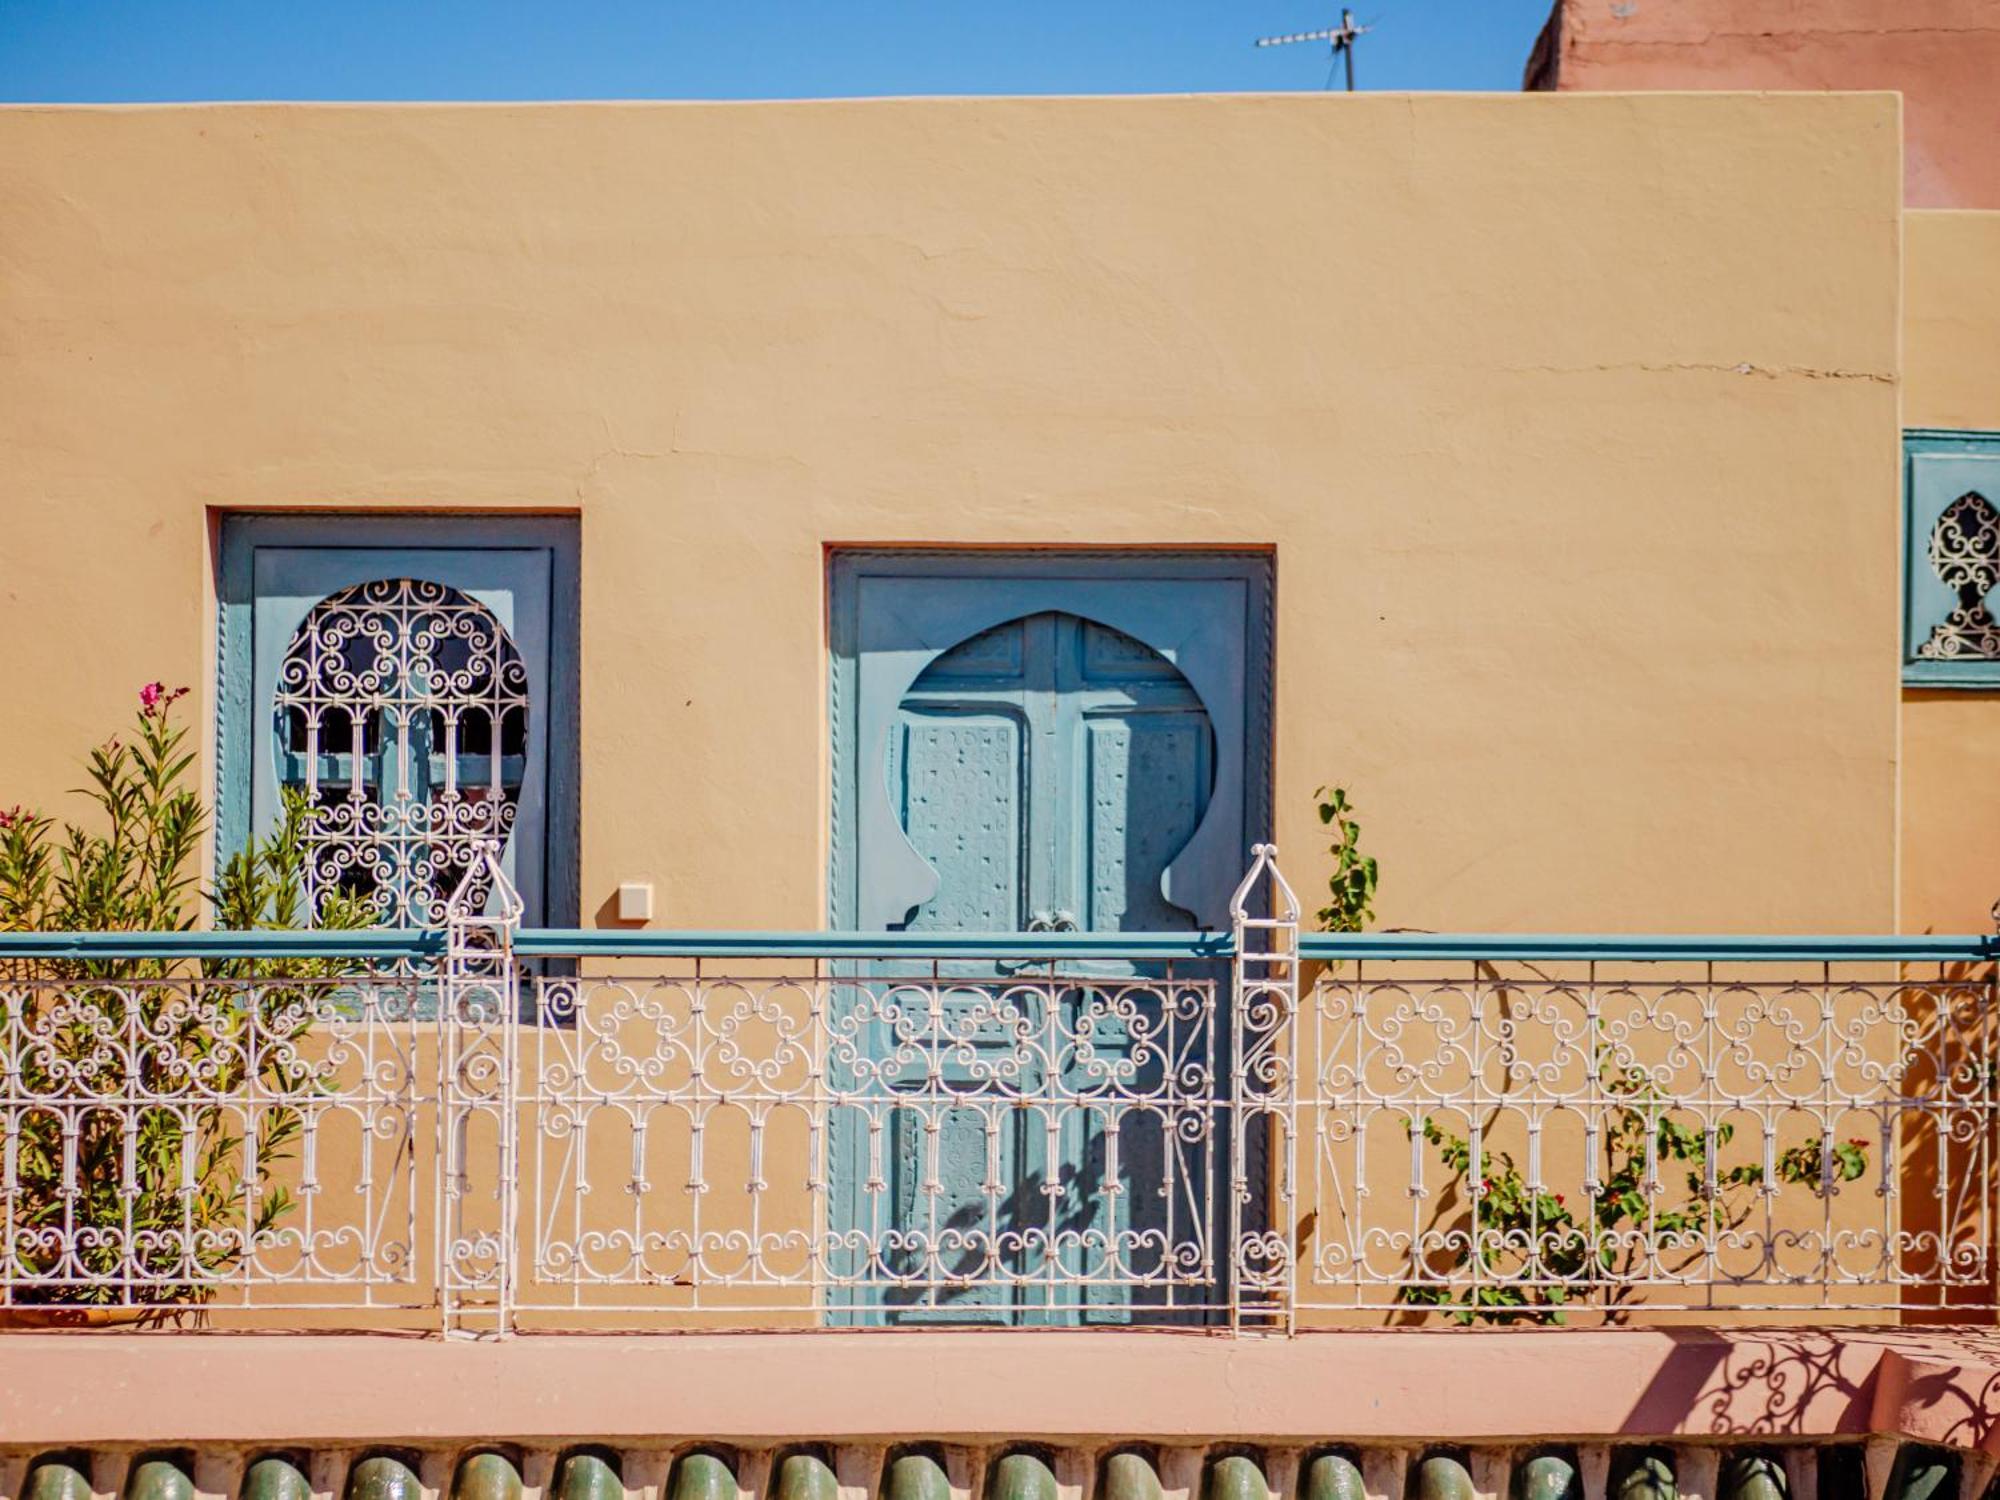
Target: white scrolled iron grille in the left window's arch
<point>403,717</point>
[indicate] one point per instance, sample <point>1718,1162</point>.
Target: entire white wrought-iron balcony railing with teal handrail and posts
<point>539,1129</point>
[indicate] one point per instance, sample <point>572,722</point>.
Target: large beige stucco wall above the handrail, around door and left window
<point>1571,421</point>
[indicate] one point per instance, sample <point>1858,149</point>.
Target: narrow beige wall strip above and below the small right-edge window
<point>1951,741</point>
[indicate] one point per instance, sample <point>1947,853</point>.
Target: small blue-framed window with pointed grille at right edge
<point>1951,559</point>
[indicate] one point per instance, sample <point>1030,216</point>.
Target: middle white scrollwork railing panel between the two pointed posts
<point>875,1141</point>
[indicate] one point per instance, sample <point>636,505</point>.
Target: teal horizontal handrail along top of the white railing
<point>1051,947</point>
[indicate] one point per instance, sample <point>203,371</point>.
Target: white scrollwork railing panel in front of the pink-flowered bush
<point>205,1137</point>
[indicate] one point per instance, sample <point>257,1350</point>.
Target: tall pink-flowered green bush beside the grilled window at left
<point>153,1199</point>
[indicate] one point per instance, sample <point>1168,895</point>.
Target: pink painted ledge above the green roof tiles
<point>1357,1385</point>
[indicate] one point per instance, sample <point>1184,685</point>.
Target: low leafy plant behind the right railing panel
<point>1593,1251</point>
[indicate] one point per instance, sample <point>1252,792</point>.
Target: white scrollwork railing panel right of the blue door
<point>1517,1141</point>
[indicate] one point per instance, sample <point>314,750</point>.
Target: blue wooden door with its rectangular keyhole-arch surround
<point>1053,765</point>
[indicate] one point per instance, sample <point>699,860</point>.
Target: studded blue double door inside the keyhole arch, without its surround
<point>1049,771</point>
